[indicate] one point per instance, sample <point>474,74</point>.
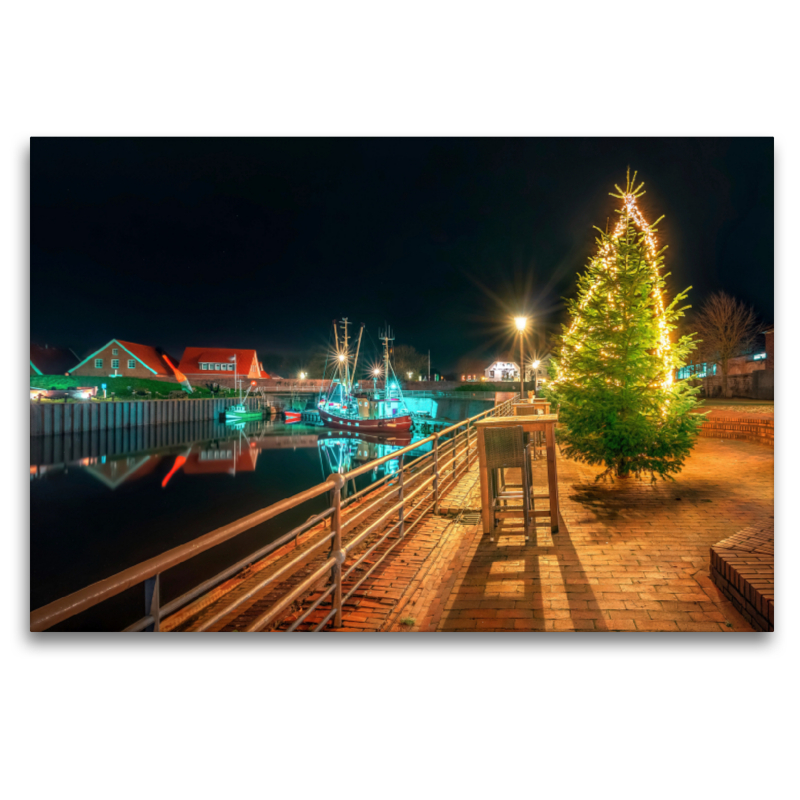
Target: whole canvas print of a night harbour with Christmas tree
<point>401,385</point>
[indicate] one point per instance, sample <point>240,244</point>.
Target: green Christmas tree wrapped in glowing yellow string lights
<point>618,402</point>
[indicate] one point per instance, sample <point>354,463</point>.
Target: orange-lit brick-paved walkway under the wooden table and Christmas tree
<point>629,556</point>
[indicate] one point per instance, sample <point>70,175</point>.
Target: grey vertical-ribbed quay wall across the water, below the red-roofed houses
<point>54,419</point>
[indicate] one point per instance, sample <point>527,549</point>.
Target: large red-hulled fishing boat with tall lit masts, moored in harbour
<point>341,407</point>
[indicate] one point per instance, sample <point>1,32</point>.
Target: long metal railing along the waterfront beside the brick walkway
<point>400,500</point>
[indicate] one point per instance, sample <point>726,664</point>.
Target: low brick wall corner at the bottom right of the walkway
<point>743,567</point>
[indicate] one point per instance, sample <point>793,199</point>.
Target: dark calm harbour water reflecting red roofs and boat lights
<point>103,501</point>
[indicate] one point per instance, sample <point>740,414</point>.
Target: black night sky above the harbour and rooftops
<point>263,242</point>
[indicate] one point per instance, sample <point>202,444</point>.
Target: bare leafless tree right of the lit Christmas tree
<point>726,326</point>
